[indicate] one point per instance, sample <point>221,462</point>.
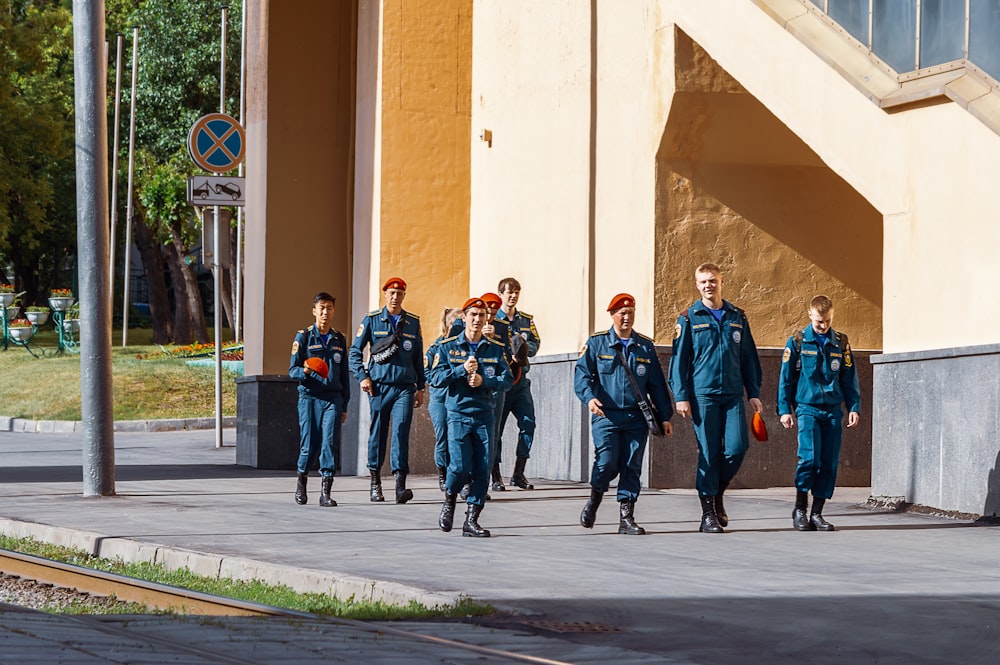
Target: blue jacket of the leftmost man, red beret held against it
<point>336,386</point>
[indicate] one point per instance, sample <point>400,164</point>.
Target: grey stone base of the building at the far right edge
<point>937,415</point>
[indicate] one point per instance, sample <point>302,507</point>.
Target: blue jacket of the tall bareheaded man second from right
<point>714,358</point>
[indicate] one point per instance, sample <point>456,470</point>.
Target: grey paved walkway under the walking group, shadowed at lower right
<point>885,588</point>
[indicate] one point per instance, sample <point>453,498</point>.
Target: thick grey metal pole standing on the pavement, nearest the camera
<point>91,95</point>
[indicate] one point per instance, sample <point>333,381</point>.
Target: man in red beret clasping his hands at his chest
<point>472,368</point>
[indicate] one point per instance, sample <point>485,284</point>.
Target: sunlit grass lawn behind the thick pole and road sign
<point>147,385</point>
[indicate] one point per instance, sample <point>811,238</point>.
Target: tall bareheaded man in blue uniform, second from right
<point>714,362</point>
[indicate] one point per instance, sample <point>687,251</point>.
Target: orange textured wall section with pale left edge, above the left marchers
<point>413,150</point>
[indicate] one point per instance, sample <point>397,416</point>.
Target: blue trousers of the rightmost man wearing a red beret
<point>619,446</point>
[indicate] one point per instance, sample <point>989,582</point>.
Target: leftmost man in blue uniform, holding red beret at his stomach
<point>322,399</point>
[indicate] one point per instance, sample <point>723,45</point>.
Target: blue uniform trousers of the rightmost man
<point>820,432</point>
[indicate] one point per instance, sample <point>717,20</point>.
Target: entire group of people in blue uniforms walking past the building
<point>478,370</point>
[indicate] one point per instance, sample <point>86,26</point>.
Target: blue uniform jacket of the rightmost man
<point>818,376</point>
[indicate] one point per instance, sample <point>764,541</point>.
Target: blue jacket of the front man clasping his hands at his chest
<point>447,371</point>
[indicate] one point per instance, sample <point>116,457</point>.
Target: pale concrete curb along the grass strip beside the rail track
<point>302,580</point>
